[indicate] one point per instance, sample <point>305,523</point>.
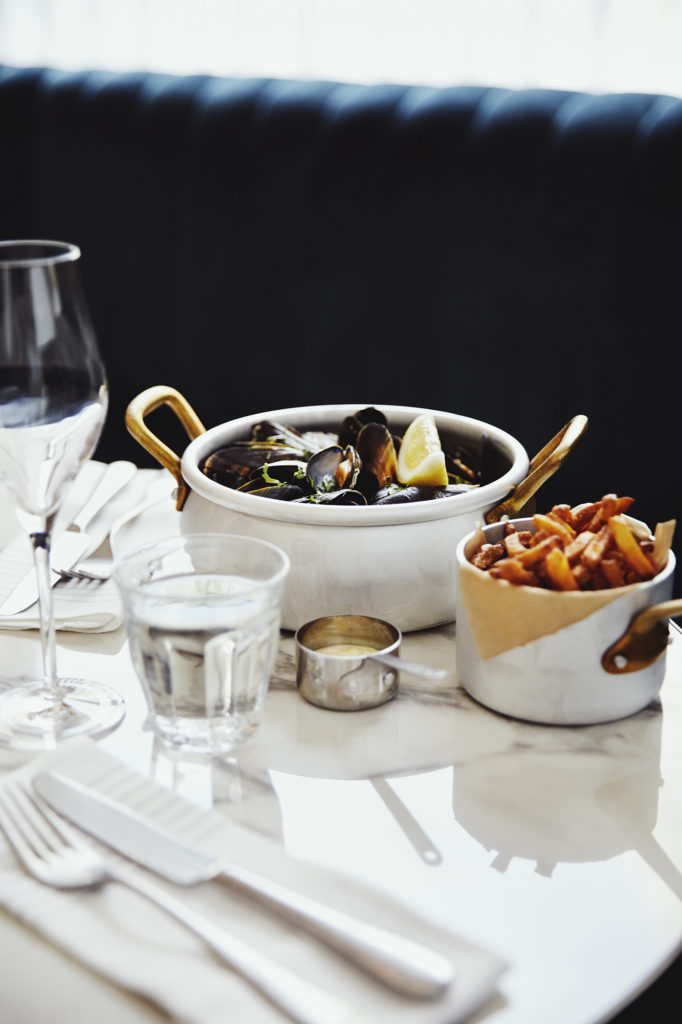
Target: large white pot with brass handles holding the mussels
<point>395,563</point>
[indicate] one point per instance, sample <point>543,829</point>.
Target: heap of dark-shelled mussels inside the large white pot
<point>358,466</point>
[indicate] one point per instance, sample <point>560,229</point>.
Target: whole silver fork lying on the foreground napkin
<point>58,856</point>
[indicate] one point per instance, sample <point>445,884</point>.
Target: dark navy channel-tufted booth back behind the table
<point>516,257</point>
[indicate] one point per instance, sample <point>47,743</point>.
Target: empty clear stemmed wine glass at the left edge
<point>53,408</point>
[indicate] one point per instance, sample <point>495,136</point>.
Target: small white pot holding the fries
<point>559,679</point>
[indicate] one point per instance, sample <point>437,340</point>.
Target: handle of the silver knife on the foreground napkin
<point>404,965</point>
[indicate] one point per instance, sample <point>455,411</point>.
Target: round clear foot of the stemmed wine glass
<point>33,719</point>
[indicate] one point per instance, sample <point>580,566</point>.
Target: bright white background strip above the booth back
<point>601,46</point>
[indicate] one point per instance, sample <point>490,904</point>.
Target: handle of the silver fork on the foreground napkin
<point>303,1001</point>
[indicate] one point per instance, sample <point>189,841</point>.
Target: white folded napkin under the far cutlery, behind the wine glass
<point>79,607</point>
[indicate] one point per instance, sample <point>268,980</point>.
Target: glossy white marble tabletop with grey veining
<point>560,848</point>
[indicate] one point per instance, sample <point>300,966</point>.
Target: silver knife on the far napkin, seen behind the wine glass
<point>73,543</point>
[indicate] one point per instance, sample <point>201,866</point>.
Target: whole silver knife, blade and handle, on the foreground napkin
<point>402,964</point>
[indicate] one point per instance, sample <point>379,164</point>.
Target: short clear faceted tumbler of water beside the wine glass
<point>203,619</point>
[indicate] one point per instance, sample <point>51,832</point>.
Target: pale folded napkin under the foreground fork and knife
<point>139,948</point>
